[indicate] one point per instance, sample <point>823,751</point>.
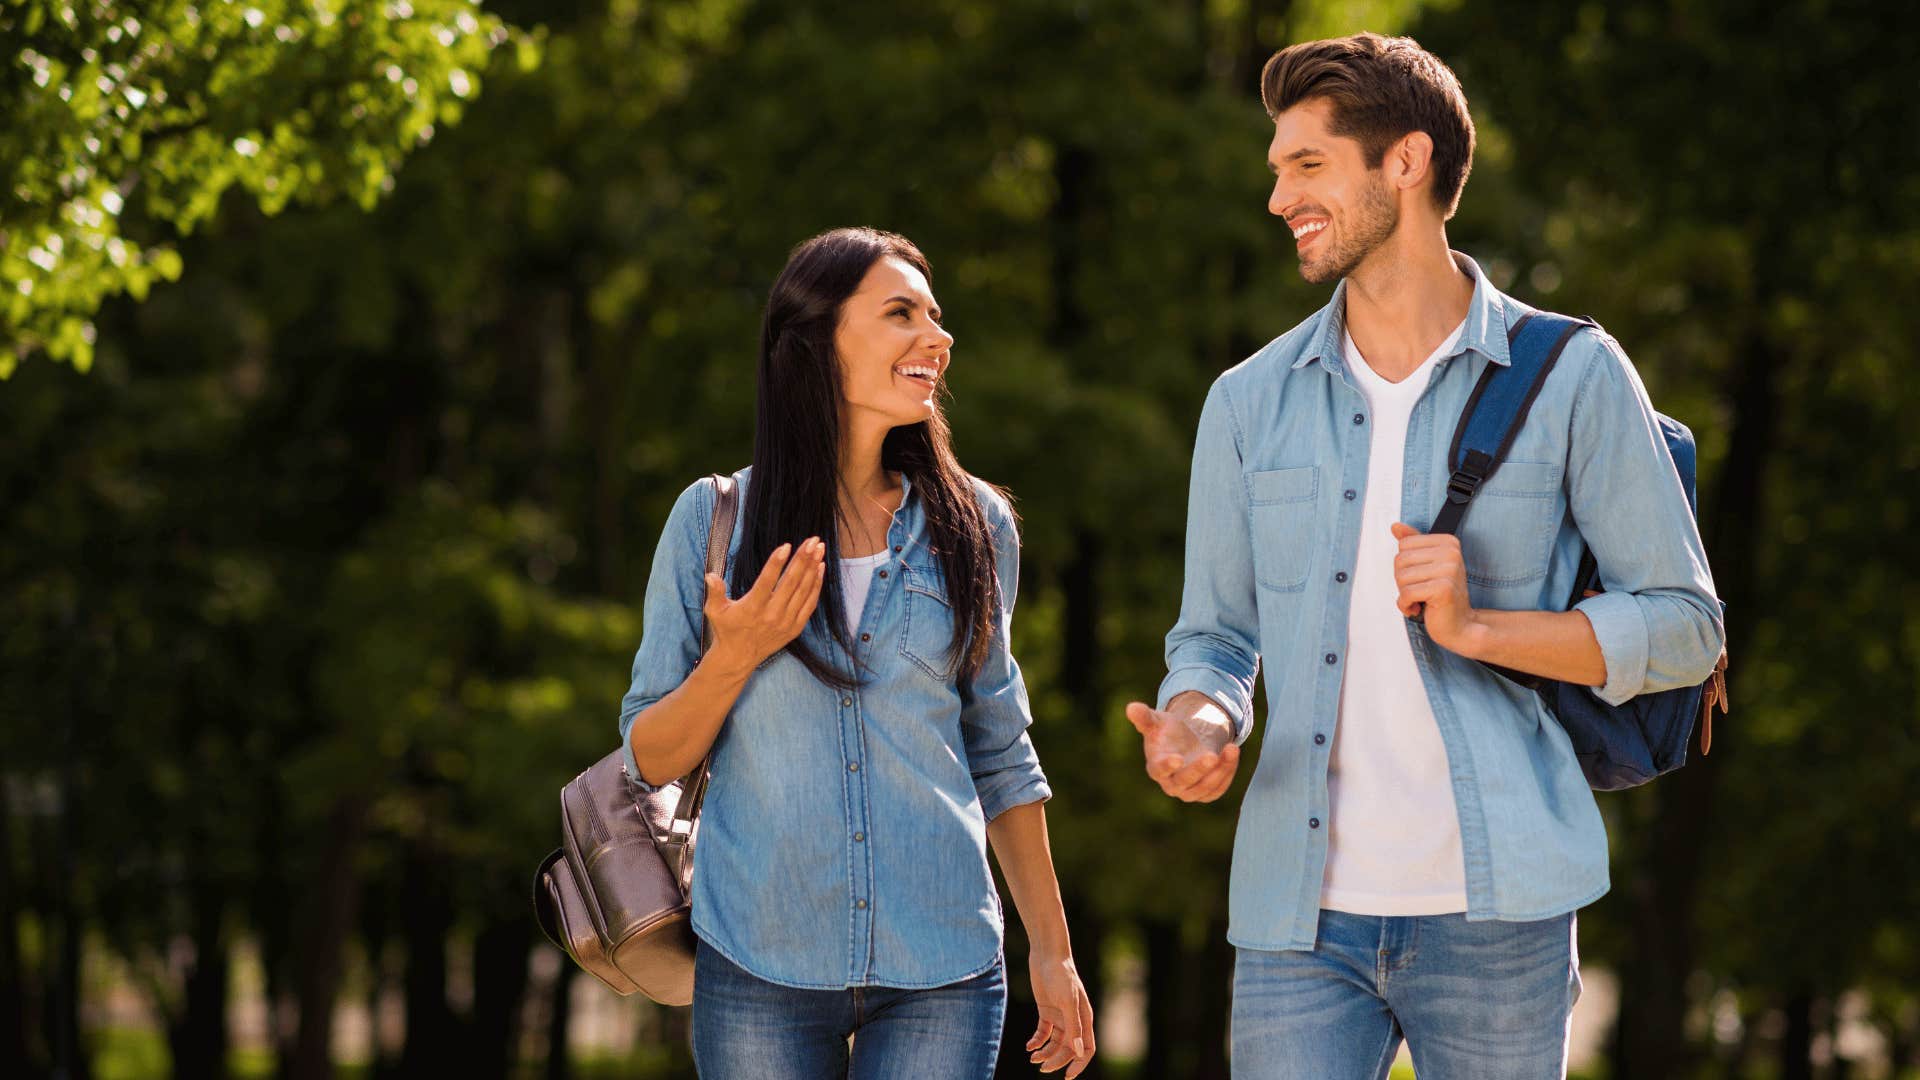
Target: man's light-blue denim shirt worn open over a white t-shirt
<point>1272,535</point>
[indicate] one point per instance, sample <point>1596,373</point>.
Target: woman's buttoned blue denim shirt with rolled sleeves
<point>844,841</point>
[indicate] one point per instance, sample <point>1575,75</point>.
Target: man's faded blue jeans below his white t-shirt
<point>1474,1000</point>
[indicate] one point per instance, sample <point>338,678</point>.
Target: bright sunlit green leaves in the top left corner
<point>145,114</point>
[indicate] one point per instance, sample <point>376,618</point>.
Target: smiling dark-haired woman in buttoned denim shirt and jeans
<point>869,749</point>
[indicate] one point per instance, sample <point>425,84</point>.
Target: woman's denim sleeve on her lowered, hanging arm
<point>994,704</point>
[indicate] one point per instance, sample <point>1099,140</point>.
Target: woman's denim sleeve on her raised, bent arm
<point>671,631</point>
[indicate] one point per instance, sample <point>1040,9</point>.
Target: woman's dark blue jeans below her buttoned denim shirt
<point>746,1027</point>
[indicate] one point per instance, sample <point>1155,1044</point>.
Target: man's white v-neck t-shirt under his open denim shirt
<point>1393,843</point>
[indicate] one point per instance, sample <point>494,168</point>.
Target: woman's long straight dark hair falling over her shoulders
<point>798,445</point>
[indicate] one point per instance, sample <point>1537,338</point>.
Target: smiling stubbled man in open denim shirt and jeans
<point>1418,835</point>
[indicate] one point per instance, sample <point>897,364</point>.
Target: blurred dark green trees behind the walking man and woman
<point>358,351</point>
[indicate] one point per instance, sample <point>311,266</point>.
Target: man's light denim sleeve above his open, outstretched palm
<point>1214,649</point>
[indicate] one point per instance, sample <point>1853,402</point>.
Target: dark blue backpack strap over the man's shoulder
<point>1499,408</point>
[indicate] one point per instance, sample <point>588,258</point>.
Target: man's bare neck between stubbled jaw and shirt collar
<point>1404,301</point>
